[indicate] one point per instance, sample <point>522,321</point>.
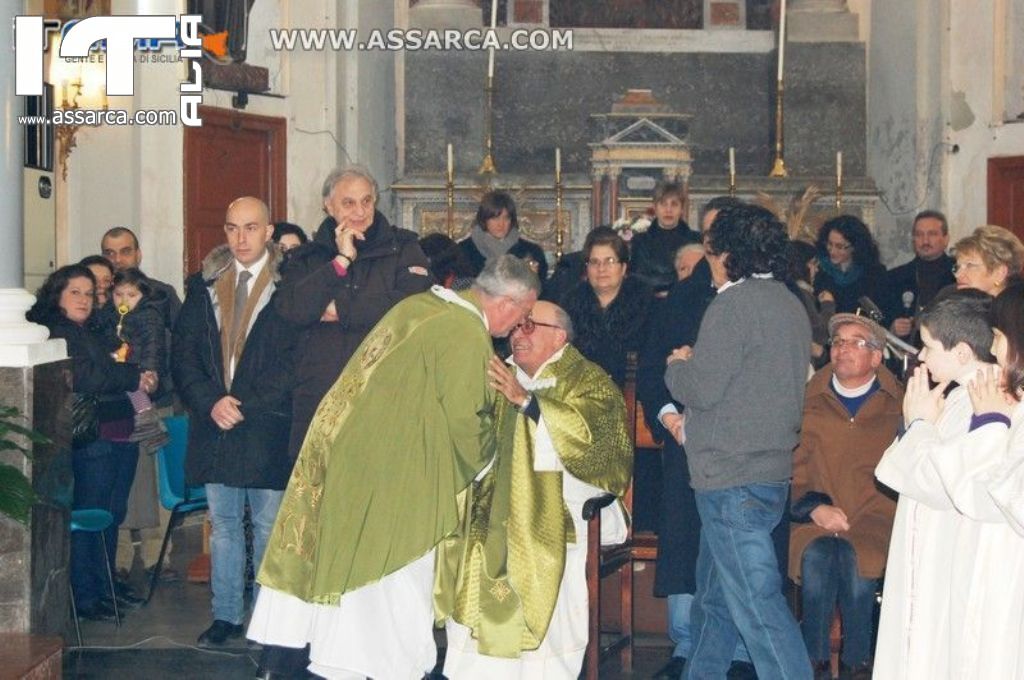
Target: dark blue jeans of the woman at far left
<point>104,475</point>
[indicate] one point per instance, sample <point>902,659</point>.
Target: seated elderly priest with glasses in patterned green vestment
<point>514,580</point>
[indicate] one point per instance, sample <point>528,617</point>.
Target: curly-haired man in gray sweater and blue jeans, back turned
<point>743,386</point>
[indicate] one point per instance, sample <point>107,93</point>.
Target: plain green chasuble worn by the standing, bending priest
<point>404,431</point>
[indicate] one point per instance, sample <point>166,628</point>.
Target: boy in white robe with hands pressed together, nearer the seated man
<point>932,542</point>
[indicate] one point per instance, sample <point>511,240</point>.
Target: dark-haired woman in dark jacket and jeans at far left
<point>105,466</point>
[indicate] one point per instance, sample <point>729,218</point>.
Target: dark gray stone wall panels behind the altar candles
<point>544,101</point>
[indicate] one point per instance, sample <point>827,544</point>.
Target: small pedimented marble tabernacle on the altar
<point>643,142</point>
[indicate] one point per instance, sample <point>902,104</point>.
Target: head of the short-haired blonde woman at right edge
<point>989,261</point>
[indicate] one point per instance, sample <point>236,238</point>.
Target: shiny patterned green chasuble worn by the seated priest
<point>501,574</point>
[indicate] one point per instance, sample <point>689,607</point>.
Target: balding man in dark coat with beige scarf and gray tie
<point>233,364</point>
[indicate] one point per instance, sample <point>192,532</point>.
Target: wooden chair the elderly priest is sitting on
<point>617,561</point>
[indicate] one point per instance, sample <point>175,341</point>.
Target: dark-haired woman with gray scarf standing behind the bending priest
<point>496,232</point>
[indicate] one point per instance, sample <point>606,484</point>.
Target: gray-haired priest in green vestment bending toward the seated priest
<point>395,443</point>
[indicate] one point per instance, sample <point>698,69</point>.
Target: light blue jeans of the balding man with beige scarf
<point>228,543</point>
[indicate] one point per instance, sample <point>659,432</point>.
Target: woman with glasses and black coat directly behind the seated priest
<point>609,310</point>
